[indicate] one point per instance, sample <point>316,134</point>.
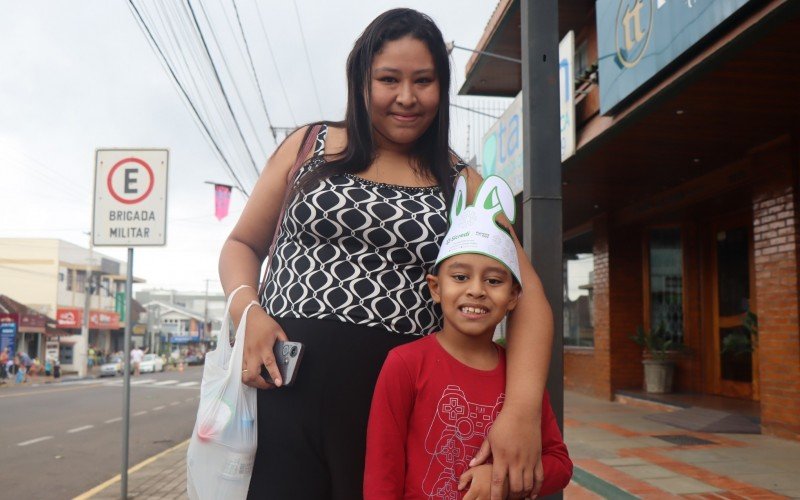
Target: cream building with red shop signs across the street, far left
<point>51,276</point>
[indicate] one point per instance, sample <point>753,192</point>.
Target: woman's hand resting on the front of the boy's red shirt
<point>515,445</point>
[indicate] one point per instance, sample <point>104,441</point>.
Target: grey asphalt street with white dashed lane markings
<point>58,440</point>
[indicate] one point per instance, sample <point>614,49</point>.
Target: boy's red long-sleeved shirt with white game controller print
<point>430,414</point>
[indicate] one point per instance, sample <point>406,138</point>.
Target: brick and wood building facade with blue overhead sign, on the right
<point>680,200</point>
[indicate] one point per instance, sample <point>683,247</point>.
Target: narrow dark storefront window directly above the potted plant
<point>666,282</point>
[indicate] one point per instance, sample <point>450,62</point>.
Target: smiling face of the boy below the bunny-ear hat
<point>475,293</point>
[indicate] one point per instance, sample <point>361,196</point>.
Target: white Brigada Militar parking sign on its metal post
<point>130,210</point>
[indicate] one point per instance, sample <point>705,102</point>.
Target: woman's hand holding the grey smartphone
<point>261,335</point>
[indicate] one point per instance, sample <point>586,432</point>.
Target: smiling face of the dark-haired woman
<point>404,92</point>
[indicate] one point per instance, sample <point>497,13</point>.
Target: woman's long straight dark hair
<point>431,151</point>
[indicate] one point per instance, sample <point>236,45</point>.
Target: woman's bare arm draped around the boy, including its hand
<point>515,438</point>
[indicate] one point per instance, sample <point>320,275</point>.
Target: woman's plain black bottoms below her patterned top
<point>312,435</point>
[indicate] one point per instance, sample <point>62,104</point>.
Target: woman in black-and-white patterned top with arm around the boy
<point>363,222</point>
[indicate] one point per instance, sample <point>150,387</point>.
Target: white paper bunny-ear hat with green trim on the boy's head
<point>473,229</point>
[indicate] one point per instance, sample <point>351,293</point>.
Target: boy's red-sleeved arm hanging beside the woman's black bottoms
<point>385,471</point>
